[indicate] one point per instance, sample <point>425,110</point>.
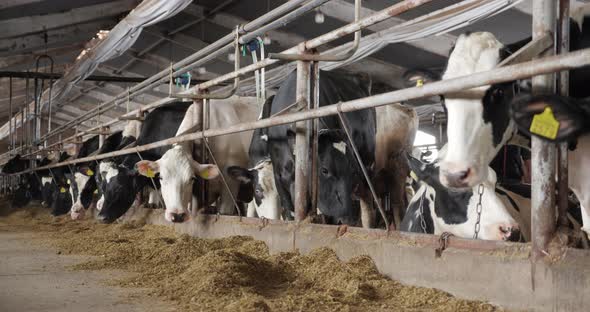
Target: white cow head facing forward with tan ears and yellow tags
<point>176,170</point>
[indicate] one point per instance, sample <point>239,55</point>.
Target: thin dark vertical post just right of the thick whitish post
<point>563,45</point>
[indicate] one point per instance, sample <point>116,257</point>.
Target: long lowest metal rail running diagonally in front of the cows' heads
<point>519,71</point>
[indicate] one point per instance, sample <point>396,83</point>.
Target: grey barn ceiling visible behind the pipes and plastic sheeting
<point>60,28</point>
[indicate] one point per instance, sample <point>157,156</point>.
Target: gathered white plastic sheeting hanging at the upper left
<point>108,46</point>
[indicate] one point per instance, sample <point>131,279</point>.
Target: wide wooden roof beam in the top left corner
<point>40,23</point>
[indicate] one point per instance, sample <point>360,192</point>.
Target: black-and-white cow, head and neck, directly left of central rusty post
<point>258,187</point>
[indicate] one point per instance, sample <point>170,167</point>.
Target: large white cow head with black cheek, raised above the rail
<point>478,125</point>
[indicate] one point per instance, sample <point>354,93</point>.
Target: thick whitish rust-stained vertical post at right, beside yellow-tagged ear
<point>543,153</point>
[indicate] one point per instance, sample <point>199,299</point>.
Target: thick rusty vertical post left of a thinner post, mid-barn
<point>302,142</point>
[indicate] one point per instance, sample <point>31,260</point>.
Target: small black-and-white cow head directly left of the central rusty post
<point>258,184</point>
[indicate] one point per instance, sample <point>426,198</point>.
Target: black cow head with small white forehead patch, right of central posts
<point>340,177</point>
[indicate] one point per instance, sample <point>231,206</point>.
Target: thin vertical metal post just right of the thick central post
<point>315,103</point>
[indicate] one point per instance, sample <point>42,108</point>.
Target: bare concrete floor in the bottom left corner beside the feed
<point>34,278</point>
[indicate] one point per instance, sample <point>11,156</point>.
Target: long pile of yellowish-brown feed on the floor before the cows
<point>230,274</point>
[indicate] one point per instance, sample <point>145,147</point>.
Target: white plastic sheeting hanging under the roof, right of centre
<point>436,23</point>
